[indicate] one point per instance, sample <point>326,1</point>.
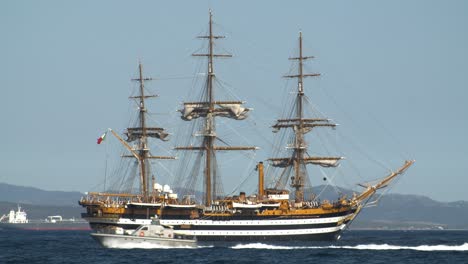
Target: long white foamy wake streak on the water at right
<point>463,247</point>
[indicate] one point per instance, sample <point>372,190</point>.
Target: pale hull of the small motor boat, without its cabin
<point>127,241</point>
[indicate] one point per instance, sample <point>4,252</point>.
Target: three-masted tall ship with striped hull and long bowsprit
<point>285,210</point>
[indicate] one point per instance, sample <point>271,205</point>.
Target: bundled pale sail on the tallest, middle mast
<point>233,110</point>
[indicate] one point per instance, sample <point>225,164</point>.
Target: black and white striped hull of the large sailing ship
<point>284,228</point>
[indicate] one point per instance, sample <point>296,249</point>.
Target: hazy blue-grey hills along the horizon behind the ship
<point>393,211</point>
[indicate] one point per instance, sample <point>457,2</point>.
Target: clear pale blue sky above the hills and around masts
<point>394,76</point>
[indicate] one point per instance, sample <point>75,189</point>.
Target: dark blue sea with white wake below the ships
<point>20,246</point>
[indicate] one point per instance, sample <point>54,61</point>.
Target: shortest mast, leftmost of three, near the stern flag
<point>140,134</point>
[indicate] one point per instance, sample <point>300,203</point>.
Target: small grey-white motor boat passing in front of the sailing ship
<point>153,235</point>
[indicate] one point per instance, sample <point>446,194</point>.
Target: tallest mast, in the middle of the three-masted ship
<point>209,109</point>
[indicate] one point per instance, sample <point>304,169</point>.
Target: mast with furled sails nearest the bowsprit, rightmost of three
<point>301,126</point>
